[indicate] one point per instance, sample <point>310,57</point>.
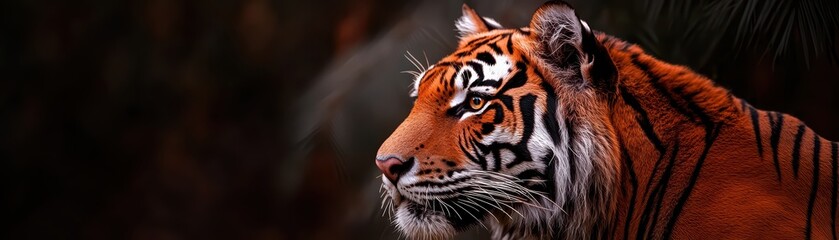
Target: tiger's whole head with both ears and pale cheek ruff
<point>509,131</point>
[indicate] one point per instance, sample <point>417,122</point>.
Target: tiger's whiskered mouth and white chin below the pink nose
<point>465,202</point>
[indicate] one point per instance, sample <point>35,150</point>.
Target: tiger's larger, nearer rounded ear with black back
<point>567,43</point>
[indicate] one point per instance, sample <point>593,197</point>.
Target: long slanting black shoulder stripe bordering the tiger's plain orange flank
<point>710,136</point>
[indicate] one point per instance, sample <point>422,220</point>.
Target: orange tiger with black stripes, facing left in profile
<point>557,131</point>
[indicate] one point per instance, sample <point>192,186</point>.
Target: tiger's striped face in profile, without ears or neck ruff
<point>475,141</point>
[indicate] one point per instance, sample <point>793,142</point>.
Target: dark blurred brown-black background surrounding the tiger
<point>258,119</point>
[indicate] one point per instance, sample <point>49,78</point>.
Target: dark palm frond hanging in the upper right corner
<point>781,27</point>
